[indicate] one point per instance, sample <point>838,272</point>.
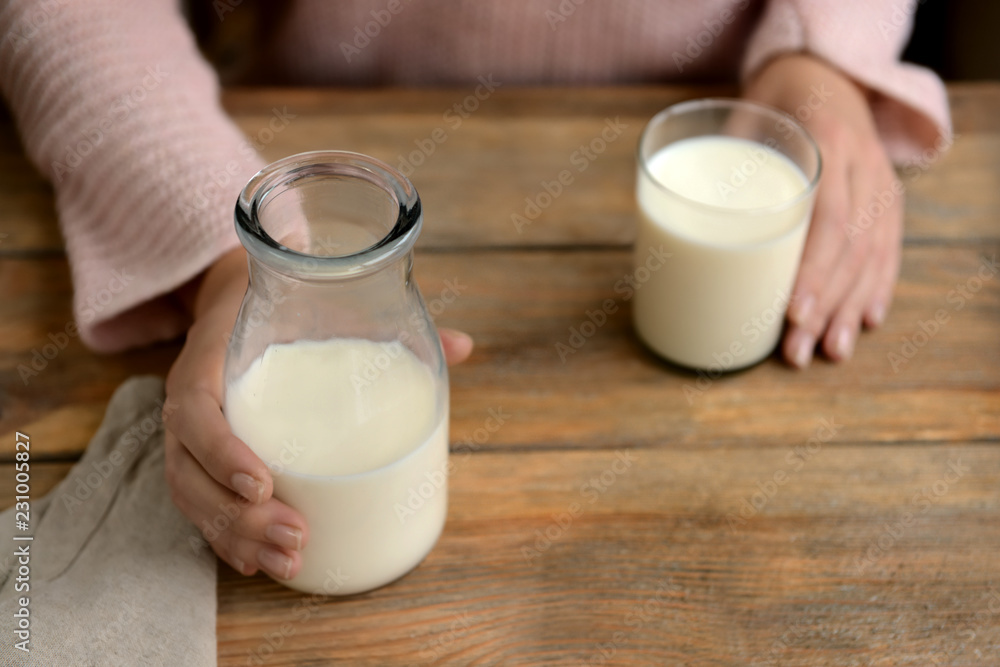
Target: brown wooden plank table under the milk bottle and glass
<point>778,517</point>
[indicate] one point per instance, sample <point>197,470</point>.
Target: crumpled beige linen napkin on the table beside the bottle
<point>116,575</point>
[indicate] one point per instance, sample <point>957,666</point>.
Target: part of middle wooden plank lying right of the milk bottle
<point>613,391</point>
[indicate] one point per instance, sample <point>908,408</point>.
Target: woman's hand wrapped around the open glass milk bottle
<point>215,479</point>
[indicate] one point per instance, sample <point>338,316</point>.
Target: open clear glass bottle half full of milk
<point>334,374</point>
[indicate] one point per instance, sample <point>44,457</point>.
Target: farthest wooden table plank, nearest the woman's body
<point>517,139</point>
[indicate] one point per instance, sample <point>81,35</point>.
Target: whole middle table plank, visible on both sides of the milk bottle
<point>519,305</point>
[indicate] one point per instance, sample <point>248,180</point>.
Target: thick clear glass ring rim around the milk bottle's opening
<point>262,246</point>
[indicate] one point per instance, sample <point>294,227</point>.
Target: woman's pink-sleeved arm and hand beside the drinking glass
<point>833,64</point>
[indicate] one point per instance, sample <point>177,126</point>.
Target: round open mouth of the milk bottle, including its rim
<point>328,214</point>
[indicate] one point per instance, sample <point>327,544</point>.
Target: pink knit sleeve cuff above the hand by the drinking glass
<point>864,39</point>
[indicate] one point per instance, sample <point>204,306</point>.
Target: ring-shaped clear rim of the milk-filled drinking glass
<point>704,104</point>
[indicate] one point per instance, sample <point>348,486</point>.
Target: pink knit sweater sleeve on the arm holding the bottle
<point>118,109</point>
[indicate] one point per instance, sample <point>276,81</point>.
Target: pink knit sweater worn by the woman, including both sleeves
<point>117,107</point>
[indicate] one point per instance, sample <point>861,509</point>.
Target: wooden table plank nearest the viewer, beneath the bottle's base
<point>651,572</point>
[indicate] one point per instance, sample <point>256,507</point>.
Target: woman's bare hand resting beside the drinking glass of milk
<point>850,262</point>
